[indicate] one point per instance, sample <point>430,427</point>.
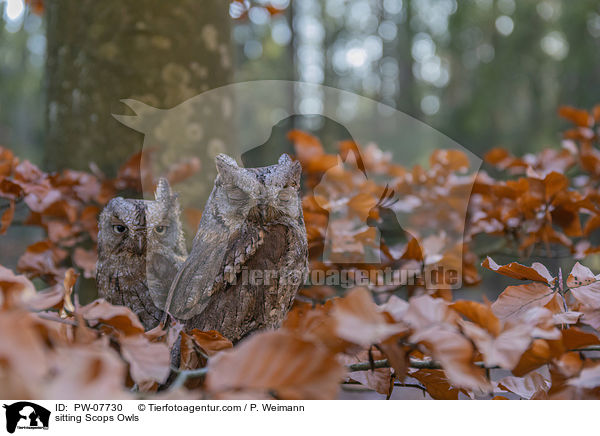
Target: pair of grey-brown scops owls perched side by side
<point>248,258</point>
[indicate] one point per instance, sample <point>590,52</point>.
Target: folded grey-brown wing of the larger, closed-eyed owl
<point>216,258</point>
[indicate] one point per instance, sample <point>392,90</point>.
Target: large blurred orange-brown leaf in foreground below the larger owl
<point>277,361</point>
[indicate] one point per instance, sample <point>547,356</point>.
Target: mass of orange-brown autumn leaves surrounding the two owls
<point>537,340</point>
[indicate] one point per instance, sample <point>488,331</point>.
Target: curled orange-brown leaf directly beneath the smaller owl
<point>120,318</point>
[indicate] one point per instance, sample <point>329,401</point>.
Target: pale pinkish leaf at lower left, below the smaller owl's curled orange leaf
<point>148,361</point>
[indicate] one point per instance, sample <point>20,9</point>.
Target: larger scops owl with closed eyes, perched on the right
<point>249,255</point>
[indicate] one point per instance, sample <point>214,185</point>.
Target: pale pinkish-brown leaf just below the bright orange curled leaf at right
<point>514,301</point>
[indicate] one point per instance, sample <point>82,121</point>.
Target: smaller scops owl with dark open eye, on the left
<point>140,248</point>
